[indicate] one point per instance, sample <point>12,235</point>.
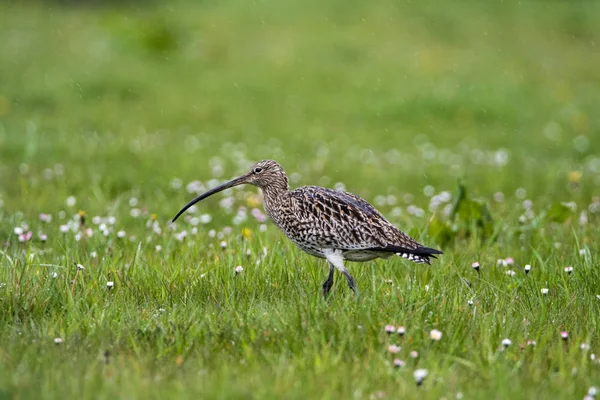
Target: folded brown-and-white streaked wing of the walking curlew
<point>346,221</point>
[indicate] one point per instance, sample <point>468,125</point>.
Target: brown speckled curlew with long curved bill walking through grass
<point>326,223</point>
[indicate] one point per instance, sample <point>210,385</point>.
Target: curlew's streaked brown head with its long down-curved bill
<point>266,174</point>
